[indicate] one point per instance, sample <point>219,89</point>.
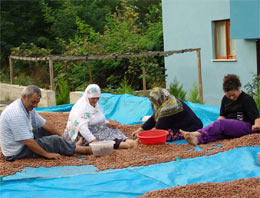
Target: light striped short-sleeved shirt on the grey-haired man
<point>16,125</point>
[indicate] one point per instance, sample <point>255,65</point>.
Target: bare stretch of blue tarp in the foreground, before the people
<point>84,181</point>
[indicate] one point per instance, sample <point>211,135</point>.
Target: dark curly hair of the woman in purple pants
<point>231,82</point>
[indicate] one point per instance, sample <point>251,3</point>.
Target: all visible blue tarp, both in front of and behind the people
<point>85,181</point>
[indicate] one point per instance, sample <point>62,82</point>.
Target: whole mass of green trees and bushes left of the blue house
<point>81,28</point>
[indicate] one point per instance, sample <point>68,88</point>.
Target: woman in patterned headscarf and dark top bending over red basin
<point>170,114</point>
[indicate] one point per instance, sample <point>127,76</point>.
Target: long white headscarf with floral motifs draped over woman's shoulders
<point>82,112</point>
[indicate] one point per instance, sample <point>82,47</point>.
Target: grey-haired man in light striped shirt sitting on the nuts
<point>25,134</point>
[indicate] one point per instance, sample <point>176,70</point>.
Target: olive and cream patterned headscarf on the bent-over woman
<point>164,104</point>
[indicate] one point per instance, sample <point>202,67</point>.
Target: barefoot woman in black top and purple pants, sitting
<point>239,116</point>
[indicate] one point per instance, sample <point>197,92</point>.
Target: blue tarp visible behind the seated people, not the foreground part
<point>129,109</point>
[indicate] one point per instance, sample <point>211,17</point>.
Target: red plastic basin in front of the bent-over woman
<point>151,137</point>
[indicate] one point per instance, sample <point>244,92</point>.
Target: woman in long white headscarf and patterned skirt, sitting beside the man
<point>88,121</point>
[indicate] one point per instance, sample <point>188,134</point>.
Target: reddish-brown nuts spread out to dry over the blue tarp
<point>145,155</point>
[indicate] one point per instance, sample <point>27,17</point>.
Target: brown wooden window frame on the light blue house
<point>227,35</point>
